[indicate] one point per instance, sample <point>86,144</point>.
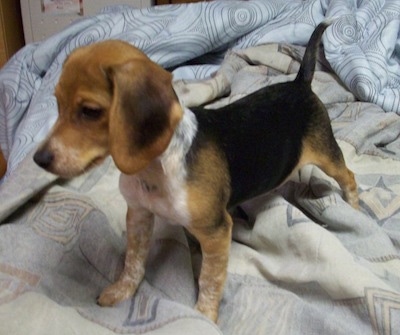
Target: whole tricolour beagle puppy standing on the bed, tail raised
<point>186,166</point>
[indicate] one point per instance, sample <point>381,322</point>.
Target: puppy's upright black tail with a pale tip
<point>307,67</point>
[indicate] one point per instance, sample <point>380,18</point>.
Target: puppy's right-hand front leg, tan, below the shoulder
<point>215,244</point>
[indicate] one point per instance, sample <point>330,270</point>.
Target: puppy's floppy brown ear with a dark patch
<point>143,115</point>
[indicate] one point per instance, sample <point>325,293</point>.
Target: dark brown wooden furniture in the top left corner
<point>11,32</point>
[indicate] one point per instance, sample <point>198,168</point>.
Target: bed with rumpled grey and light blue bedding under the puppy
<point>302,262</point>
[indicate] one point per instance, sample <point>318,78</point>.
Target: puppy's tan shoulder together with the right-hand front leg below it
<point>211,224</point>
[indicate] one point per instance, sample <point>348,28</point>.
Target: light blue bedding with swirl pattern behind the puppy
<point>362,47</point>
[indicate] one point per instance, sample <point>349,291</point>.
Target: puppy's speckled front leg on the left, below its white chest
<point>139,228</point>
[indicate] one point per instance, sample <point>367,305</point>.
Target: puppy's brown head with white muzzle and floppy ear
<point>112,99</point>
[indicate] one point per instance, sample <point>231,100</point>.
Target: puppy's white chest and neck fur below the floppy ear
<point>161,187</point>
